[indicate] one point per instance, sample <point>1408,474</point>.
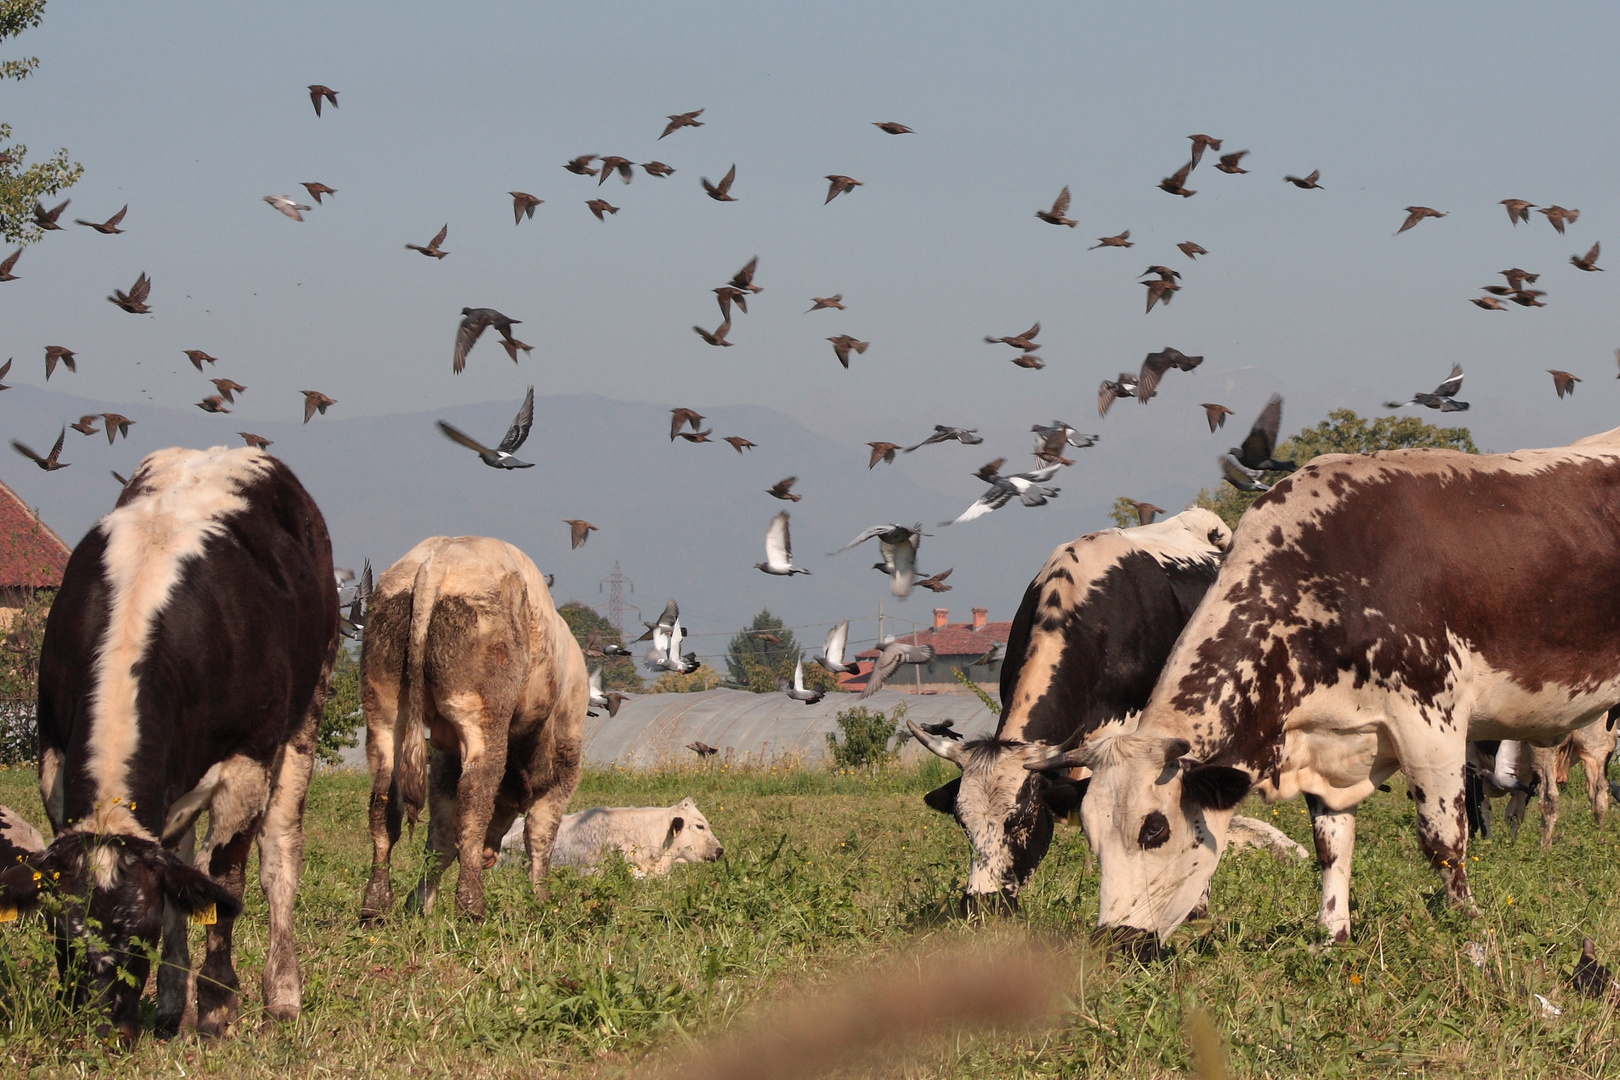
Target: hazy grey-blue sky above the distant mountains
<point>190,113</point>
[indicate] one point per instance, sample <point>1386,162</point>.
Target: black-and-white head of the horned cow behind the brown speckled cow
<point>1004,807</point>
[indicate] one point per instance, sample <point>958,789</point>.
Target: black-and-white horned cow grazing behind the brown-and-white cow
<point>1086,648</point>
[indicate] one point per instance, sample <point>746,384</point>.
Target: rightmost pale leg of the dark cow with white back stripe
<point>281,864</point>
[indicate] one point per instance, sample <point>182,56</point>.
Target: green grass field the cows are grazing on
<point>830,874</point>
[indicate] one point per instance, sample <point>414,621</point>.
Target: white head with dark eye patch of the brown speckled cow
<point>1157,822</point>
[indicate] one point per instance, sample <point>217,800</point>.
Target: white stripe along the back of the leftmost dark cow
<point>182,504</point>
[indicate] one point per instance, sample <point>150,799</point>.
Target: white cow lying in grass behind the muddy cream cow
<point>652,838</point>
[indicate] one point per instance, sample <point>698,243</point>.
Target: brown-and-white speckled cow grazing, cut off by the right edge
<point>1375,614</point>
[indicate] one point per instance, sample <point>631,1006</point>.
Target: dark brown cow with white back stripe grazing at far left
<point>184,670</point>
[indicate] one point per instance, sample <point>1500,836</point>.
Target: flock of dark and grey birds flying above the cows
<point>1243,467</point>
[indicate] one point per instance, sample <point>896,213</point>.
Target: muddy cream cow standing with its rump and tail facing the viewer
<point>464,647</point>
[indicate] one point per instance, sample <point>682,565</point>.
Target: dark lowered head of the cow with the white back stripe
<point>104,899</point>
